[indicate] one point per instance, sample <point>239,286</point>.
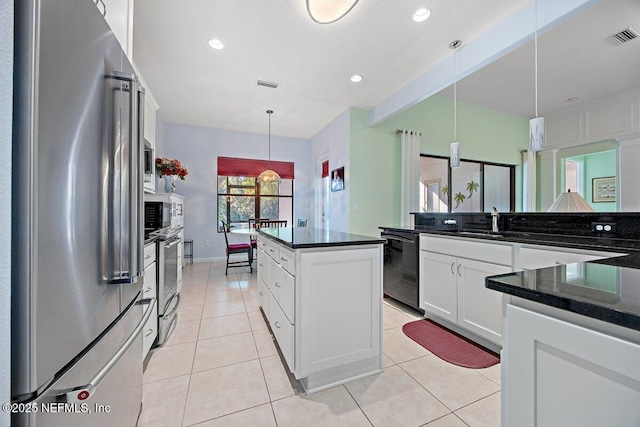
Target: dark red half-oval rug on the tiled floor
<point>449,346</point>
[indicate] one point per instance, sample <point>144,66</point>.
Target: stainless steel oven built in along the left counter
<point>168,296</point>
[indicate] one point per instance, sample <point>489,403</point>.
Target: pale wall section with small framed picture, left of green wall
<point>333,141</point>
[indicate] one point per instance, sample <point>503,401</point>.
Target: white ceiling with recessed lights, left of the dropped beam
<point>278,41</point>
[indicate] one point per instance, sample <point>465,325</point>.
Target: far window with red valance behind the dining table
<point>241,197</point>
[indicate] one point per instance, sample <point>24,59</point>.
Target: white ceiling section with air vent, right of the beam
<point>575,60</point>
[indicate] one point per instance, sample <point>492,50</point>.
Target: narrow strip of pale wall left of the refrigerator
<point>6,97</point>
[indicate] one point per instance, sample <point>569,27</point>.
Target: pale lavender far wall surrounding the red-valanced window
<point>198,149</point>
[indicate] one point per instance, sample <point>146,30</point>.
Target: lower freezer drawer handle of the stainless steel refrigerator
<point>83,393</point>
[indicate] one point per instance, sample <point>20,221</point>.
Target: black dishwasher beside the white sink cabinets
<point>401,267</point>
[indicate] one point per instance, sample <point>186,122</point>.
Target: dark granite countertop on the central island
<point>307,237</point>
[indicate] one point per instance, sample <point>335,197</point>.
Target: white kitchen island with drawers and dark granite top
<point>321,293</point>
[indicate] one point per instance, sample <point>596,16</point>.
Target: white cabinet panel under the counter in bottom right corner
<point>563,373</point>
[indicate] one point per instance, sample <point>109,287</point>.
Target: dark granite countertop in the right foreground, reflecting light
<point>608,289</point>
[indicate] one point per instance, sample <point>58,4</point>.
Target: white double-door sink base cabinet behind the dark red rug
<point>452,288</point>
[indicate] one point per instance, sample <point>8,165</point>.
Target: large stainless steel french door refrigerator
<point>77,256</point>
